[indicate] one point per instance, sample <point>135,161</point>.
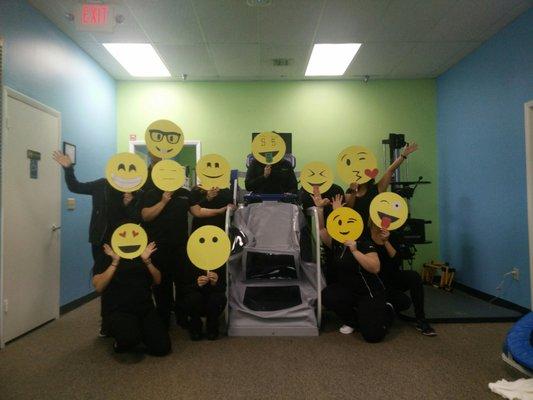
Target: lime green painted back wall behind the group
<point>324,117</point>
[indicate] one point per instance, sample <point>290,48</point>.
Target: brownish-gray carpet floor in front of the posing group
<point>65,360</point>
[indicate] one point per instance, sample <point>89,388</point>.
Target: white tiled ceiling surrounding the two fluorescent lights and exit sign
<point>229,40</point>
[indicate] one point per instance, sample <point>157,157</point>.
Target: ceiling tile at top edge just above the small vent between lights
<point>289,23</point>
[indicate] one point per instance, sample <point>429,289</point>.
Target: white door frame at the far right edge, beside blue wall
<point>528,125</point>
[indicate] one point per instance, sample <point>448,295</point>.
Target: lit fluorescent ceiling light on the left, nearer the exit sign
<point>139,59</point>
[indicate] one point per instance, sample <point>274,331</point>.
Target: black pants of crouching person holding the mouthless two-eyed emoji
<point>204,302</point>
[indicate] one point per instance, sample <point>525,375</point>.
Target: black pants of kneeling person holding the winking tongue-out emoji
<point>402,281</point>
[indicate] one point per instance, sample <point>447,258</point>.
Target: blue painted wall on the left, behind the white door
<point>43,63</point>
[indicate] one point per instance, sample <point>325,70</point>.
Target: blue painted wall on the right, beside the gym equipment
<point>482,170</point>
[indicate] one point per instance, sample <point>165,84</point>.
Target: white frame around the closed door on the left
<point>6,93</point>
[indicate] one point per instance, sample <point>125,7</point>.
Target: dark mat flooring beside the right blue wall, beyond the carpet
<point>457,305</point>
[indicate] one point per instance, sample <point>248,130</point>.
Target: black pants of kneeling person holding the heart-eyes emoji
<point>134,327</point>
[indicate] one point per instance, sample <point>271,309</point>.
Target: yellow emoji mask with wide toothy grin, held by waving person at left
<point>126,172</point>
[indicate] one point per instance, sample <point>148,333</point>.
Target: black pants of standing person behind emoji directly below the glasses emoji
<point>170,260</point>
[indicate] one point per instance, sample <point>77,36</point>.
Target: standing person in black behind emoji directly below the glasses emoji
<point>165,216</point>
